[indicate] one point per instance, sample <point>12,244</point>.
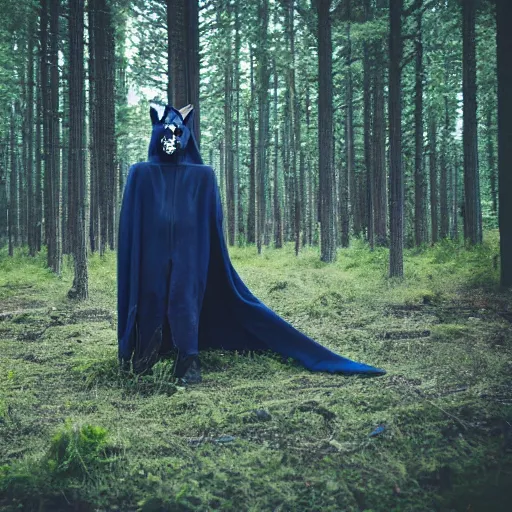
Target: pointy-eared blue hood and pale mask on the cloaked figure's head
<point>172,137</point>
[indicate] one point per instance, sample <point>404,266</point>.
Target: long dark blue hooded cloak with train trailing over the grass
<point>177,287</point>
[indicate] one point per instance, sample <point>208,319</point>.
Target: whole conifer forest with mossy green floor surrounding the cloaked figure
<point>363,153</point>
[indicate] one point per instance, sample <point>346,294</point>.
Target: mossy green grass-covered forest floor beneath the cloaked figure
<point>258,434</point>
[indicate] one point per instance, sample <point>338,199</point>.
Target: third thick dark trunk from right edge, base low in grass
<point>395,140</point>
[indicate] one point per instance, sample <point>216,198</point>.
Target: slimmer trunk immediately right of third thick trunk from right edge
<point>420,225</point>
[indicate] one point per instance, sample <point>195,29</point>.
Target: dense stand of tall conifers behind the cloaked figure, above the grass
<point>325,120</point>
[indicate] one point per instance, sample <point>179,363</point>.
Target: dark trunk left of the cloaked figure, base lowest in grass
<point>76,153</point>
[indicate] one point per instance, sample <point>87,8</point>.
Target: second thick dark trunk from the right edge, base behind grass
<point>472,208</point>
